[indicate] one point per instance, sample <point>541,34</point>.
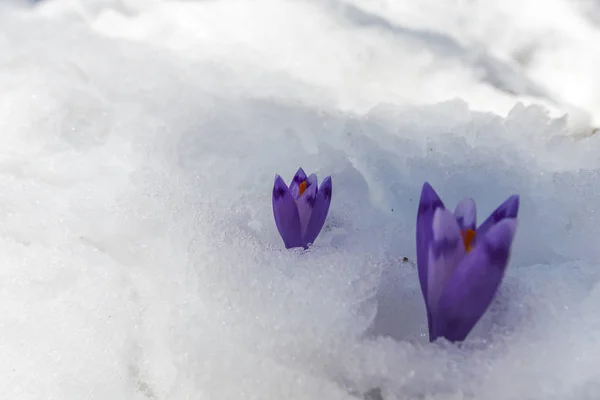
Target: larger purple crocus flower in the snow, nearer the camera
<point>460,266</point>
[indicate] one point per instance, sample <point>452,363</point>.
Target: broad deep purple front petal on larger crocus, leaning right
<point>470,290</point>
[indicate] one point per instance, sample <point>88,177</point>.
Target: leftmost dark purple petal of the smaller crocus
<point>286,214</point>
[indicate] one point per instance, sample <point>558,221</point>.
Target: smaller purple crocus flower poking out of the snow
<point>301,209</point>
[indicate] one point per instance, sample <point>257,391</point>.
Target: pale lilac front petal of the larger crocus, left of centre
<point>445,255</point>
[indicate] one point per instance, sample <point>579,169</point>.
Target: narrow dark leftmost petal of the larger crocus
<point>428,203</point>
